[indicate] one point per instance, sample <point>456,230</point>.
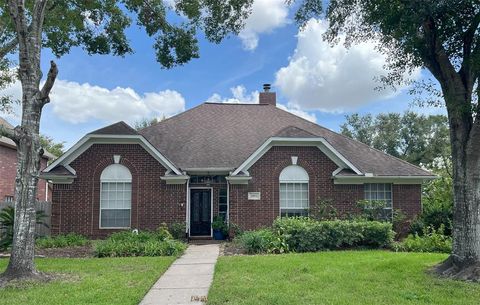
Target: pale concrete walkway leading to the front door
<point>187,280</point>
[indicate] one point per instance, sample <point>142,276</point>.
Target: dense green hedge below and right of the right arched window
<point>304,234</point>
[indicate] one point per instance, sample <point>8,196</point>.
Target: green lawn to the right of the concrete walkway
<point>349,277</point>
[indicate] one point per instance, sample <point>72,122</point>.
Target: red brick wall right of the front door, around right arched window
<point>251,214</point>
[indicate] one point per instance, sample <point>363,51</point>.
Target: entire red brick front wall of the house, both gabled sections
<point>76,207</point>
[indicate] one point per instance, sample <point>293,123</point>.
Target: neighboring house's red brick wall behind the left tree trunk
<point>8,171</point>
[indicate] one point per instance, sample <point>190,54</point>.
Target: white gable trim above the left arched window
<point>81,146</point>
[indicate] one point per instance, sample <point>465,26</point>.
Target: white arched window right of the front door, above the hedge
<point>294,191</point>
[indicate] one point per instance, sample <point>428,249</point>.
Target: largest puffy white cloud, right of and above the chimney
<point>332,79</point>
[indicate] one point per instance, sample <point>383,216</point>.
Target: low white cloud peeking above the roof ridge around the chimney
<point>241,96</point>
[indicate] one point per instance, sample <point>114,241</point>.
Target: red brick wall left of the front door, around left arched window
<point>76,207</point>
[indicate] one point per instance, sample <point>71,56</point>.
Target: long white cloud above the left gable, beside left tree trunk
<point>78,103</point>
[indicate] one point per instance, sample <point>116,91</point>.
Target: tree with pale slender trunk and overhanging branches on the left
<point>99,27</point>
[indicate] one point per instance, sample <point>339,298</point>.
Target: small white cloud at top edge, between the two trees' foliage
<point>266,16</point>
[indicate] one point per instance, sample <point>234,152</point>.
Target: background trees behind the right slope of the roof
<point>418,139</point>
